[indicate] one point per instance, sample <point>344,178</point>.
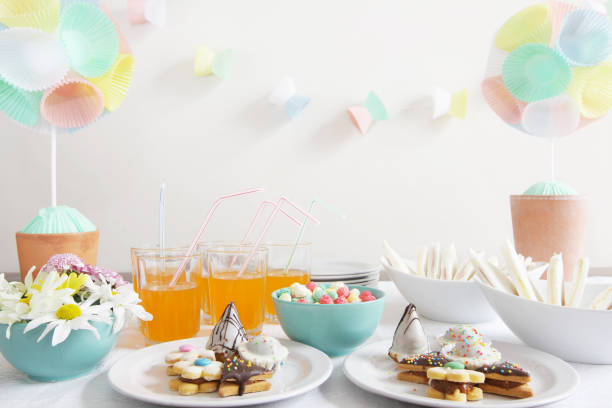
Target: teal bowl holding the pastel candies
<point>335,329</point>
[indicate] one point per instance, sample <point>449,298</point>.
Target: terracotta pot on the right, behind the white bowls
<point>544,225</point>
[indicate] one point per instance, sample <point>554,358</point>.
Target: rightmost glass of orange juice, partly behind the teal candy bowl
<point>281,274</point>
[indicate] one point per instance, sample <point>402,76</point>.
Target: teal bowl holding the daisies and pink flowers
<point>76,356</point>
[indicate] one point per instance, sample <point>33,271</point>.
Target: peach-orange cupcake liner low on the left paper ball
<point>74,103</point>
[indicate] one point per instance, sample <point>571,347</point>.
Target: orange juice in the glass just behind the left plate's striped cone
<point>247,293</point>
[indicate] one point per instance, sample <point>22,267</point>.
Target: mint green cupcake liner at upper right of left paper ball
<point>89,38</point>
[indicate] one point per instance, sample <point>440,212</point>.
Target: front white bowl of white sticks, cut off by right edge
<point>578,335</point>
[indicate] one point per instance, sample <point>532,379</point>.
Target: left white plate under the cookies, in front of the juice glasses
<point>142,375</point>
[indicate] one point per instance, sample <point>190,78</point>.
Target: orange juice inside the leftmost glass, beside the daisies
<point>175,310</point>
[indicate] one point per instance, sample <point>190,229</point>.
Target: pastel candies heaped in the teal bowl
<point>334,293</point>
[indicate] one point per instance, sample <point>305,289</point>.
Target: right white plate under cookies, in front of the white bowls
<point>552,379</point>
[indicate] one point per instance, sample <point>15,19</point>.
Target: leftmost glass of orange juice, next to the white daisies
<point>175,309</point>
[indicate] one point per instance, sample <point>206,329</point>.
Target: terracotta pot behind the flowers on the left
<point>36,249</point>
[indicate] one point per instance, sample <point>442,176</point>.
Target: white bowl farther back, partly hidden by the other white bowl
<point>442,300</point>
